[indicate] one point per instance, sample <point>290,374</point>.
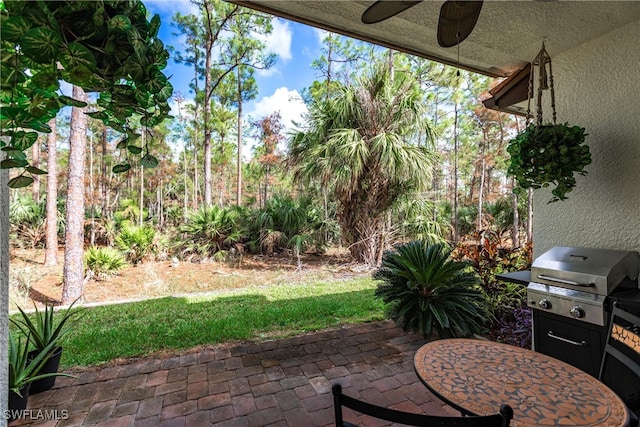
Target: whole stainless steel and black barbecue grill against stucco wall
<point>570,294</point>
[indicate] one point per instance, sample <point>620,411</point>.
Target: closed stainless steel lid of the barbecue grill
<point>586,269</point>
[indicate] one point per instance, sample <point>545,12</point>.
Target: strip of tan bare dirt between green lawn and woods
<point>32,282</point>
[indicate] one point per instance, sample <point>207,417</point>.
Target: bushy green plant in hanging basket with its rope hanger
<point>548,154</point>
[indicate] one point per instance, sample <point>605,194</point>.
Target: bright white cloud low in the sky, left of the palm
<point>288,102</point>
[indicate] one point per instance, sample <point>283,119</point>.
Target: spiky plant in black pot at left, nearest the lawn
<point>44,331</point>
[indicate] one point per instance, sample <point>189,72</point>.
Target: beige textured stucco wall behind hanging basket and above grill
<point>597,86</point>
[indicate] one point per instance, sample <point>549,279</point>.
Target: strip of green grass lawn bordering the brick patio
<point>174,323</point>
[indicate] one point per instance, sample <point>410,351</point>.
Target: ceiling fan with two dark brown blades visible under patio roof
<point>455,23</point>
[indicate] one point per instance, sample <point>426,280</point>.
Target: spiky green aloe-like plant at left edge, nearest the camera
<point>23,372</point>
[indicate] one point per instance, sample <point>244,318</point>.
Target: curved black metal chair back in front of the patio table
<point>501,419</point>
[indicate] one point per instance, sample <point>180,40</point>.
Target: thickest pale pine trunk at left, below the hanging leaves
<point>73,270</point>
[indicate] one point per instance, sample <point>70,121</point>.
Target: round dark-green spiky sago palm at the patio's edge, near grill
<point>425,291</point>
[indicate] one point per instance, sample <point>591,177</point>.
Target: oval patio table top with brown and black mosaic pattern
<point>477,376</point>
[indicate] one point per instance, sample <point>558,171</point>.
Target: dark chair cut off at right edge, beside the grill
<point>623,344</point>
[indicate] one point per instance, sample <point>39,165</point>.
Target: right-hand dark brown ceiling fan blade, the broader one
<point>456,21</point>
